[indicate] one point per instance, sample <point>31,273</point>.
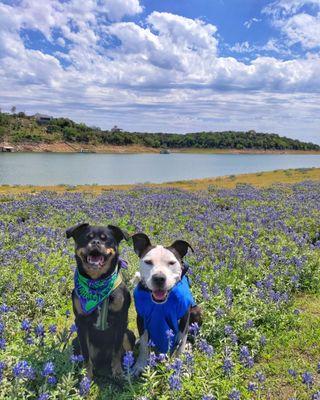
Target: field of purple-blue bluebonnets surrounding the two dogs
<point>255,251</point>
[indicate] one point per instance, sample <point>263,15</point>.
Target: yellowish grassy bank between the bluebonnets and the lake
<point>259,179</point>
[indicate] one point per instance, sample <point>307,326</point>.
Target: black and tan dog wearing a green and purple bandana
<point>100,299</point>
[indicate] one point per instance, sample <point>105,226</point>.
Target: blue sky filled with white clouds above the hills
<point>163,65</point>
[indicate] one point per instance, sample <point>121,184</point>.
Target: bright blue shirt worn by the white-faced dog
<point>161,320</point>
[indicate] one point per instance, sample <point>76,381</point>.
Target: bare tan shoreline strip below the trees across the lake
<point>65,147</point>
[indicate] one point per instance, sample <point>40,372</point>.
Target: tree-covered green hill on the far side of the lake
<point>18,128</point>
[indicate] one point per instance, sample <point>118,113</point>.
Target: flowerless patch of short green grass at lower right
<point>296,348</point>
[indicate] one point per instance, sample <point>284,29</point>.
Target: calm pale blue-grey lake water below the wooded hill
<point>104,169</point>
